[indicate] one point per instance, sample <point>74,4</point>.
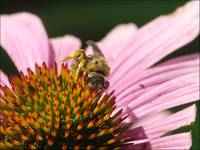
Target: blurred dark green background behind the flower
<point>92,20</point>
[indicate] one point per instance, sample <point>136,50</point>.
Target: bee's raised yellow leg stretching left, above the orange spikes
<point>75,54</point>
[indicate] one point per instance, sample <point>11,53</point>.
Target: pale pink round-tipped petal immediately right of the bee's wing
<point>115,41</point>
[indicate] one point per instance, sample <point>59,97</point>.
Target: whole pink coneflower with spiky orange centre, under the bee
<point>43,108</point>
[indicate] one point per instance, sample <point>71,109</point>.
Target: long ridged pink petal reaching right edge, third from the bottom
<point>173,93</point>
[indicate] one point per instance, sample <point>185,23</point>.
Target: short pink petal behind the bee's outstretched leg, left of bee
<point>62,46</point>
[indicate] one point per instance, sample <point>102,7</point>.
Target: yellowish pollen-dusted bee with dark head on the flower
<point>94,65</point>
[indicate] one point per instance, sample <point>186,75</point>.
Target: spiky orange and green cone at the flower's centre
<point>47,110</point>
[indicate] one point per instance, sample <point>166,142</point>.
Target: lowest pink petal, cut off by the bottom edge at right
<point>173,142</point>
